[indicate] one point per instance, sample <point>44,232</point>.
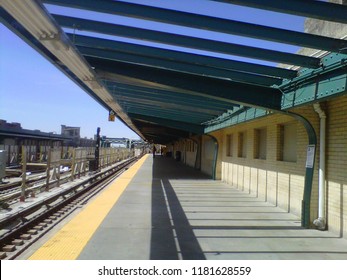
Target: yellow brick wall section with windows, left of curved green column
<point>262,177</point>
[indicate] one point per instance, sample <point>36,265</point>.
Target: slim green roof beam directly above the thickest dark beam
<point>180,67</point>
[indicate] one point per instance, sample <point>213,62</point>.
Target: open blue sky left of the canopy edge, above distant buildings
<point>36,94</point>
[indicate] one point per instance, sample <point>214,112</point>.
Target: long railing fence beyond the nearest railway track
<point>63,165</point>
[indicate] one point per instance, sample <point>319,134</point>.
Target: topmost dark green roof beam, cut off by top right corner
<point>313,9</point>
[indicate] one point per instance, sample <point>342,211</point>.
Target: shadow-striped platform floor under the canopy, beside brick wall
<point>194,217</point>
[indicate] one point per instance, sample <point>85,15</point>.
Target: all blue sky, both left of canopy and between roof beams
<point>36,94</point>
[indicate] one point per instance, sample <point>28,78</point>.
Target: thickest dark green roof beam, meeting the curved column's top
<point>244,94</point>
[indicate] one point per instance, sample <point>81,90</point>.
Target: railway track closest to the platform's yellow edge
<point>23,228</point>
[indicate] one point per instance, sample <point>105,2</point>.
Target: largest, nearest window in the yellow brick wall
<point>287,142</point>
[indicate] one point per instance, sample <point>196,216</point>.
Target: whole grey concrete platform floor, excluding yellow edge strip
<point>170,211</point>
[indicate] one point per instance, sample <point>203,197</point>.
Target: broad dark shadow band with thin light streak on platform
<point>172,236</point>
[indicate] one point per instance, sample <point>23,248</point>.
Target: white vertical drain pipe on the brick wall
<point>320,222</point>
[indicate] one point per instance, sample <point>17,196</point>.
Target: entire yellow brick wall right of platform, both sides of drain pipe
<point>282,183</point>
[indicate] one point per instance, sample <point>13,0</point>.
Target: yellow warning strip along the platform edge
<point>69,241</point>
